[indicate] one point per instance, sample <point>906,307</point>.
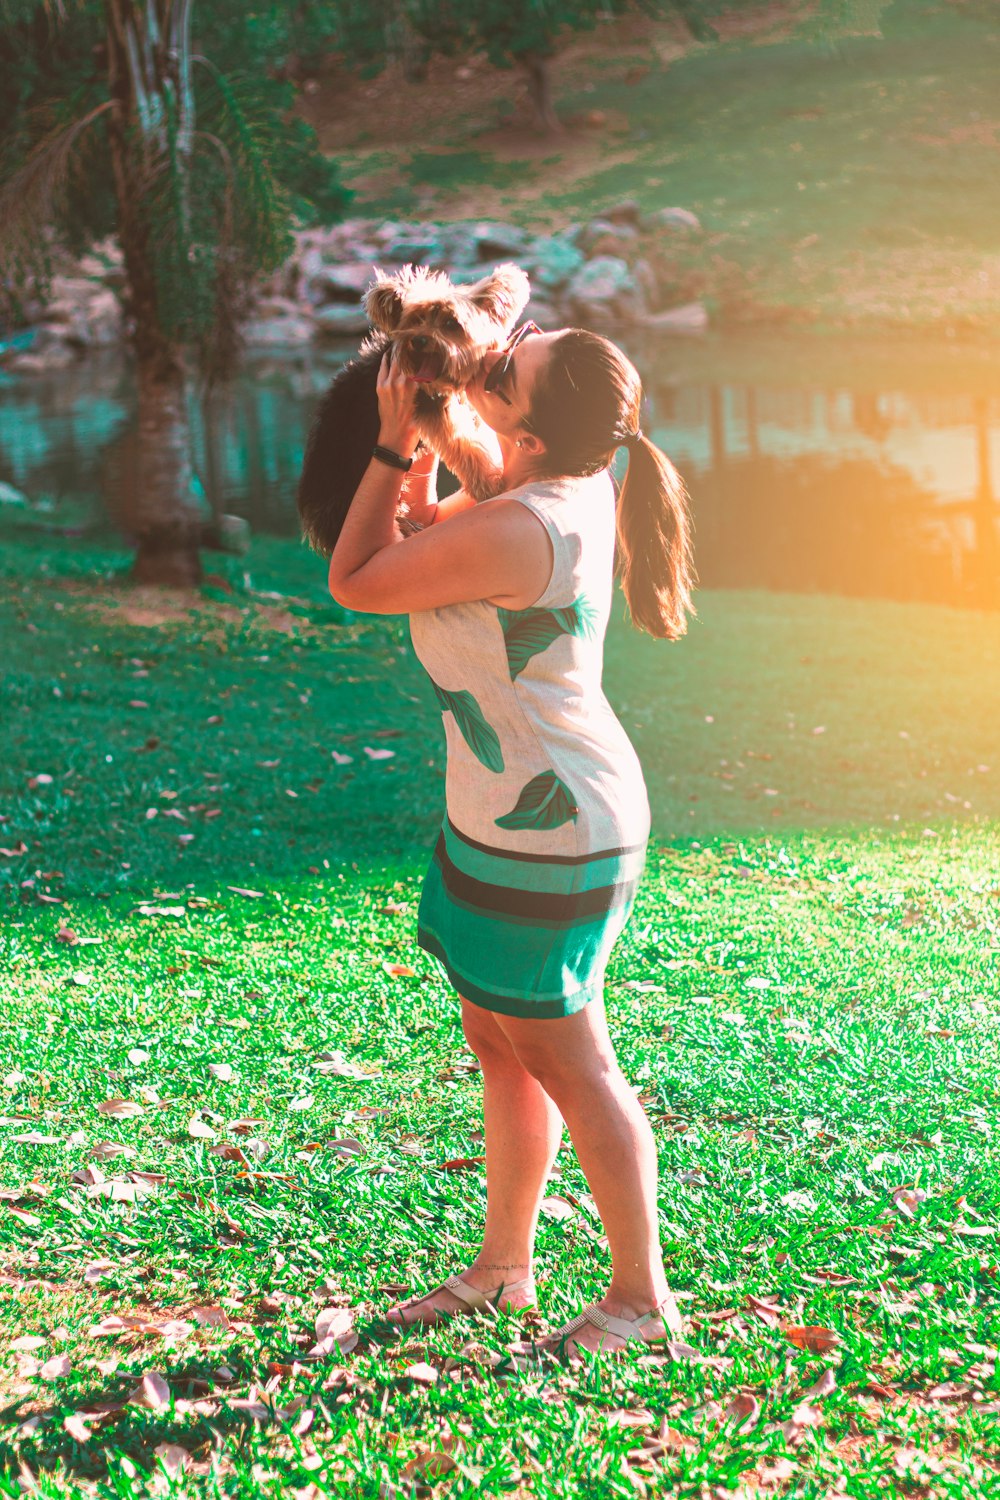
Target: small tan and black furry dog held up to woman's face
<point>439,334</point>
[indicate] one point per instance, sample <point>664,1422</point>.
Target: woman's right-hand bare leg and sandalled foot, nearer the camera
<point>573,1061</point>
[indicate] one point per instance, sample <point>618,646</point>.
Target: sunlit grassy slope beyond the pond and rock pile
<point>849,184</point>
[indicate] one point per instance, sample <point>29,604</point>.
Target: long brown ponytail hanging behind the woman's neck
<point>654,542</point>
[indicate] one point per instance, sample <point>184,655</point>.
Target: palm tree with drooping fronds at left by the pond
<point>199,211</point>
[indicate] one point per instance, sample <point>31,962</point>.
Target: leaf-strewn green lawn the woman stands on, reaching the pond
<point>209,916</point>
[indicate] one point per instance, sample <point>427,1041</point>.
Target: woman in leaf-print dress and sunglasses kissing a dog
<point>543,842</point>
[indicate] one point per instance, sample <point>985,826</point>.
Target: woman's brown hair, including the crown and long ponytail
<point>585,404</point>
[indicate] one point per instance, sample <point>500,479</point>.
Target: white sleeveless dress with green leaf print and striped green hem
<point>545,836</point>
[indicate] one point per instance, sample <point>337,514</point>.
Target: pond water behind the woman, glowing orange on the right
<point>813,464</point>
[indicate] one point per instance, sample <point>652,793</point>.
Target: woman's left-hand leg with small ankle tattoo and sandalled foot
<point>522,1138</point>
